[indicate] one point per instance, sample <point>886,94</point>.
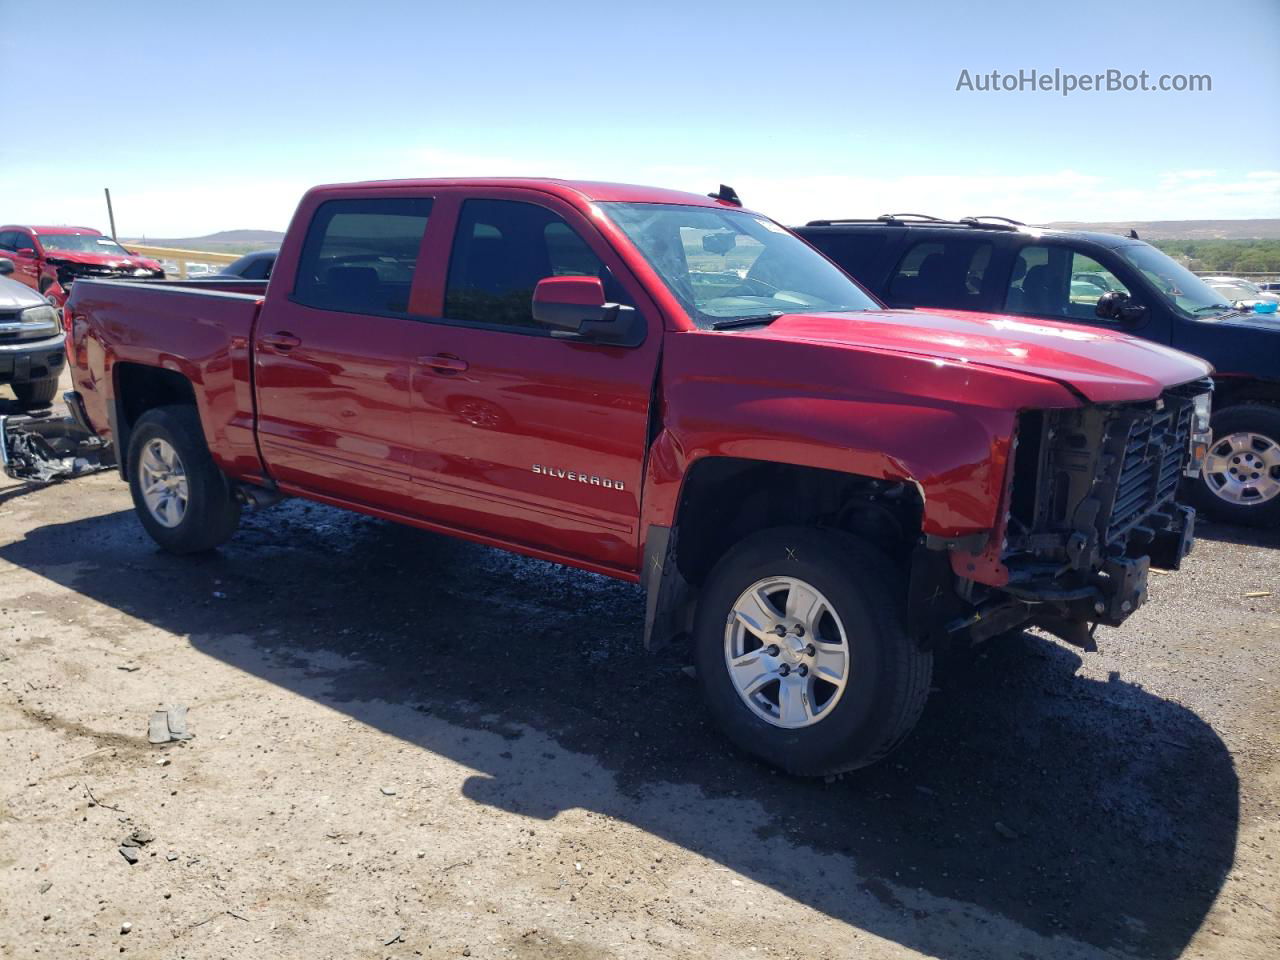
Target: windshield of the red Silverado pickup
<point>729,264</point>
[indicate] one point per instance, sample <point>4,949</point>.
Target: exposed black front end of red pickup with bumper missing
<point>1090,510</point>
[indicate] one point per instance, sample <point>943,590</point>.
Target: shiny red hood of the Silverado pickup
<point>1104,367</point>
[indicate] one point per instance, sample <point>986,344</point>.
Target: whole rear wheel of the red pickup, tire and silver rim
<point>182,499</point>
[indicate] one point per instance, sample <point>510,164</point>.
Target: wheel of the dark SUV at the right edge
<point>1241,481</point>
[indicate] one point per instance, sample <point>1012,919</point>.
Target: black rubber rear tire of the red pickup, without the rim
<point>212,513</point>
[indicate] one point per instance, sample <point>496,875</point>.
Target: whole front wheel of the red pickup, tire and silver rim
<point>802,652</point>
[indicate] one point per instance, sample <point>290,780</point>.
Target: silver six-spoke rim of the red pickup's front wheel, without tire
<point>787,652</point>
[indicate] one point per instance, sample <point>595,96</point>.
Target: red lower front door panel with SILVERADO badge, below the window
<point>538,441</point>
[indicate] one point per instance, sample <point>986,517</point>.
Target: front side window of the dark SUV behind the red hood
<point>1058,282</point>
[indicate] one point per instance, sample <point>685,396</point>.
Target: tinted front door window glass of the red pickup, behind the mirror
<point>501,250</point>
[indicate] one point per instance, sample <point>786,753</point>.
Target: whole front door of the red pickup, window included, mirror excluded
<point>524,436</point>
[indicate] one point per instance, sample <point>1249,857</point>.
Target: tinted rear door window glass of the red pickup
<point>359,255</point>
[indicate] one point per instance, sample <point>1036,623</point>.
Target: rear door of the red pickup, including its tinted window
<point>333,359</point>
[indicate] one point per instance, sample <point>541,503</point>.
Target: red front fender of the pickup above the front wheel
<point>944,427</point>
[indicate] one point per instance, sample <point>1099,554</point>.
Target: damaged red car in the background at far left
<point>49,259</point>
